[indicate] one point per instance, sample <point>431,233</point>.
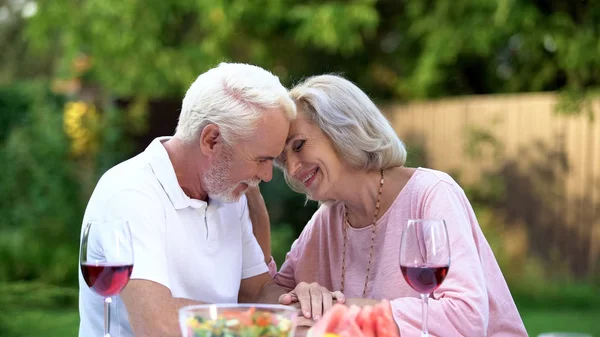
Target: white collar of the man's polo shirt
<point>165,173</point>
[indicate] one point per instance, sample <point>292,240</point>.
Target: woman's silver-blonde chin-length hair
<point>360,133</point>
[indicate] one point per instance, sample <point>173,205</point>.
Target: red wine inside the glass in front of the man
<point>106,279</point>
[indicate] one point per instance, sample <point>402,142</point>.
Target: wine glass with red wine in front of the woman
<point>425,258</point>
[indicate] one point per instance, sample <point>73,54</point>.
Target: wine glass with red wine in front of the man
<point>106,260</point>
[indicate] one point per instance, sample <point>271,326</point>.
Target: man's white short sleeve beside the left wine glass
<point>147,223</point>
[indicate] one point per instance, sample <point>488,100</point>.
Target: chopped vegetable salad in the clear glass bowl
<point>249,323</point>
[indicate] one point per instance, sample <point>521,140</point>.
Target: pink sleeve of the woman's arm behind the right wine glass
<point>460,306</point>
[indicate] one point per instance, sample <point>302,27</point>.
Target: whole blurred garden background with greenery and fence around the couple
<point>499,93</point>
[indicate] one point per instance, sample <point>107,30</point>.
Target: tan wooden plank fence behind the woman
<point>549,165</point>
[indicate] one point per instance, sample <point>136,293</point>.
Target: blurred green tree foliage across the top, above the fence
<point>393,49</point>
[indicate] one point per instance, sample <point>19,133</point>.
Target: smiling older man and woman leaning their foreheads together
<point>200,229</point>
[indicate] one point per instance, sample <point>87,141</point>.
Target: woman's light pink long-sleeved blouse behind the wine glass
<point>474,299</point>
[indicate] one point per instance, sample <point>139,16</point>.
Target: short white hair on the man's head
<point>233,97</point>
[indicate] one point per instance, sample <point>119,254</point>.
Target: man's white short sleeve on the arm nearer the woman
<point>253,260</point>
